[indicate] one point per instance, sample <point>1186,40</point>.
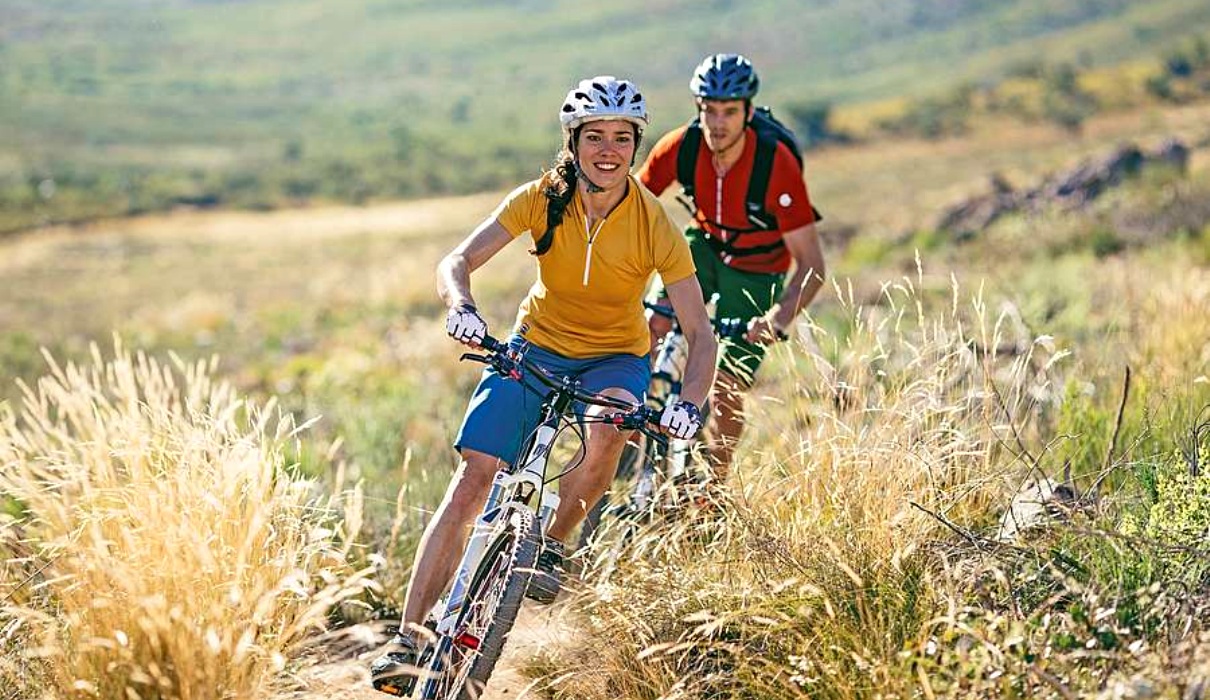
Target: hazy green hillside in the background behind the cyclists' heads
<point>129,106</point>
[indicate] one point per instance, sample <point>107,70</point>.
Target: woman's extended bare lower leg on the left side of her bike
<point>441,547</point>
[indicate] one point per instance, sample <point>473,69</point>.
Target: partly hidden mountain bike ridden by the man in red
<point>661,472</point>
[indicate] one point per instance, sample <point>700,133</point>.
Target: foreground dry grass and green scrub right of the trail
<point>860,557</point>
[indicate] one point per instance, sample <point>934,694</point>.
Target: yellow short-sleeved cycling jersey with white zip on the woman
<point>587,300</point>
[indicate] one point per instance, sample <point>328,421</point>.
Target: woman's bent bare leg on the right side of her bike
<point>585,485</point>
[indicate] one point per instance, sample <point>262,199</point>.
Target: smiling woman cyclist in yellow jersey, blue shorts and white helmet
<point>598,236</point>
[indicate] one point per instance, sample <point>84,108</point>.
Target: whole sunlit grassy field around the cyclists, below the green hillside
<point>266,401</point>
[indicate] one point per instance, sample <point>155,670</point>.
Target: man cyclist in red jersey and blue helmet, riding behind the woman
<point>768,271</point>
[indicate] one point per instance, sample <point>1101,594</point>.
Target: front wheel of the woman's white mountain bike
<point>492,603</point>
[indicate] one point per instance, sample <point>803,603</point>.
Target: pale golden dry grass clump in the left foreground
<point>165,551</point>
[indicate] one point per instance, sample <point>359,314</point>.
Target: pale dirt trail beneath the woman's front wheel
<point>537,628</point>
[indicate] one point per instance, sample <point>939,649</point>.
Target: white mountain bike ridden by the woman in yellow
<point>473,622</point>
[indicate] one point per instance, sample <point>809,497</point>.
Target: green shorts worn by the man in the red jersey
<point>741,296</point>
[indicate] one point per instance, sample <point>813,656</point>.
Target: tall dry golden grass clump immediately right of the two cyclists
<point>820,558</point>
